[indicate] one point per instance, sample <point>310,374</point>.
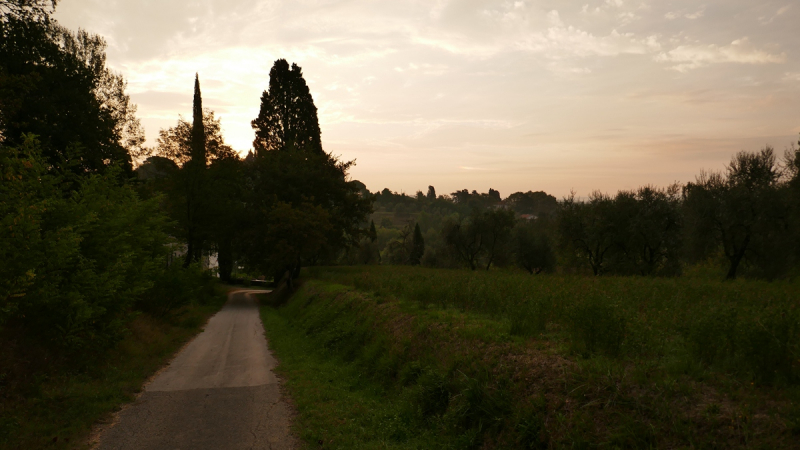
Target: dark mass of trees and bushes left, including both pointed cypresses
<point>88,241</point>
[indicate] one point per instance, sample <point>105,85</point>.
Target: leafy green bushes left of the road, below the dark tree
<point>74,261</point>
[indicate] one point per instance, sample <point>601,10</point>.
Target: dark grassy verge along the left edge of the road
<point>56,406</point>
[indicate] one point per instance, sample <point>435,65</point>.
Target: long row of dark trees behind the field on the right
<point>744,219</point>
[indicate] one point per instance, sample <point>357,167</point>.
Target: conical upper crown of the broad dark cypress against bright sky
<point>288,117</point>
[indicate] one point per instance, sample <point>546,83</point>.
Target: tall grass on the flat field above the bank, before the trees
<point>745,327</point>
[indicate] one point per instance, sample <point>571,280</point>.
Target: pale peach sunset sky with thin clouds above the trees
<point>512,95</point>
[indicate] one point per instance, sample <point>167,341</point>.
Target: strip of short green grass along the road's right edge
<point>340,405</point>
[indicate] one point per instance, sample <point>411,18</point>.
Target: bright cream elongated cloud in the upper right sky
<point>740,51</point>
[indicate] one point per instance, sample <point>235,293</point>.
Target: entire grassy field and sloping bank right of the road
<point>404,357</point>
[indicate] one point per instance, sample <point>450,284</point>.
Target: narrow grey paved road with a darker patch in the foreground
<point>218,393</point>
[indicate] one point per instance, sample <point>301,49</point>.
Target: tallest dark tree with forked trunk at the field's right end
<point>739,211</point>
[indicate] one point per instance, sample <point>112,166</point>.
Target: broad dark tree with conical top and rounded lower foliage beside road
<point>292,176</point>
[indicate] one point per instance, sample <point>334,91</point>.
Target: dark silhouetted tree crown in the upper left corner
<point>54,83</point>
